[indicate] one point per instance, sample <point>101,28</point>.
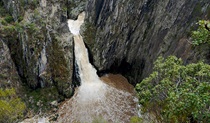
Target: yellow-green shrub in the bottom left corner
<point>11,107</point>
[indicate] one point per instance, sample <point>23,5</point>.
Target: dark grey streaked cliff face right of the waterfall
<point>131,34</point>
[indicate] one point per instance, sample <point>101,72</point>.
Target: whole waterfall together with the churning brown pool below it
<point>94,98</point>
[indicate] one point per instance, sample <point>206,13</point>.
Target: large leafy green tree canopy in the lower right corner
<point>175,92</point>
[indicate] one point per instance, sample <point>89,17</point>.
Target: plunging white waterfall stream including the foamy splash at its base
<point>90,82</point>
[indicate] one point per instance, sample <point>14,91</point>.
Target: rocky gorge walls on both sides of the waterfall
<point>123,36</point>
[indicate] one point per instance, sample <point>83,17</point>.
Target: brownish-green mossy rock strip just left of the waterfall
<point>58,67</point>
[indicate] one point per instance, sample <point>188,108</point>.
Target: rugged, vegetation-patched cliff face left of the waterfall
<point>41,47</point>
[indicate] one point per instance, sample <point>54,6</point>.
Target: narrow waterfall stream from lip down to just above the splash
<point>86,70</point>
